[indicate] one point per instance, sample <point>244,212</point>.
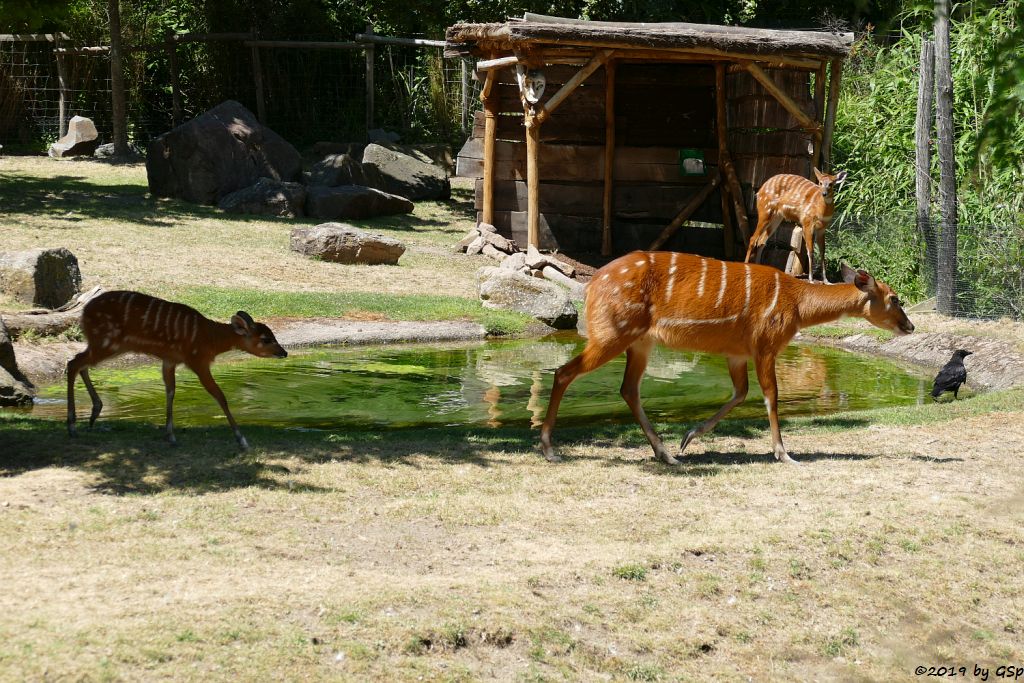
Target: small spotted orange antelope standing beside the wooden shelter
<point>788,197</point>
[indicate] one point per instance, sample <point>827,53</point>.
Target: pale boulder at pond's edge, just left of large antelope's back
<point>502,288</point>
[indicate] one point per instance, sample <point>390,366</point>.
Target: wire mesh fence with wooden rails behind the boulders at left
<point>311,92</point>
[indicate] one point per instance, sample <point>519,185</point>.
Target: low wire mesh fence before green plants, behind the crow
<point>986,282</point>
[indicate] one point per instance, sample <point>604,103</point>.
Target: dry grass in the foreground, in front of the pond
<point>463,556</point>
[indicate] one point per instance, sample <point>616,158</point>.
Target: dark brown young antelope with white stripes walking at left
<point>116,323</point>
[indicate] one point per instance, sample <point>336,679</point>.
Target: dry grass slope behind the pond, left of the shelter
<point>126,240</point>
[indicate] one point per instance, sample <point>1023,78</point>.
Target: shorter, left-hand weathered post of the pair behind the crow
<point>923,159</point>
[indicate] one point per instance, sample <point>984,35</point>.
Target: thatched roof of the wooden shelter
<point>537,30</point>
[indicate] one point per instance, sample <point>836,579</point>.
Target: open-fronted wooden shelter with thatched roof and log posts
<point>642,129</point>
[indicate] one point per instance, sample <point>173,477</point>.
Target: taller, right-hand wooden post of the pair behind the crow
<point>947,276</point>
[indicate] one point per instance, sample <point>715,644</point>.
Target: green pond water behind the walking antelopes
<point>503,383</point>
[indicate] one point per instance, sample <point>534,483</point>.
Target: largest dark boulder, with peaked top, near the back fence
<point>217,154</point>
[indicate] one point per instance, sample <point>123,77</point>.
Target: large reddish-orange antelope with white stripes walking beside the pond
<point>740,311</point>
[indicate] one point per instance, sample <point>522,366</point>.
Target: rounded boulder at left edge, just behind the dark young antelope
<point>47,278</point>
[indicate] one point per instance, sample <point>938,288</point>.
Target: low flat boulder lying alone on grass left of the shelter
<point>347,244</point>
